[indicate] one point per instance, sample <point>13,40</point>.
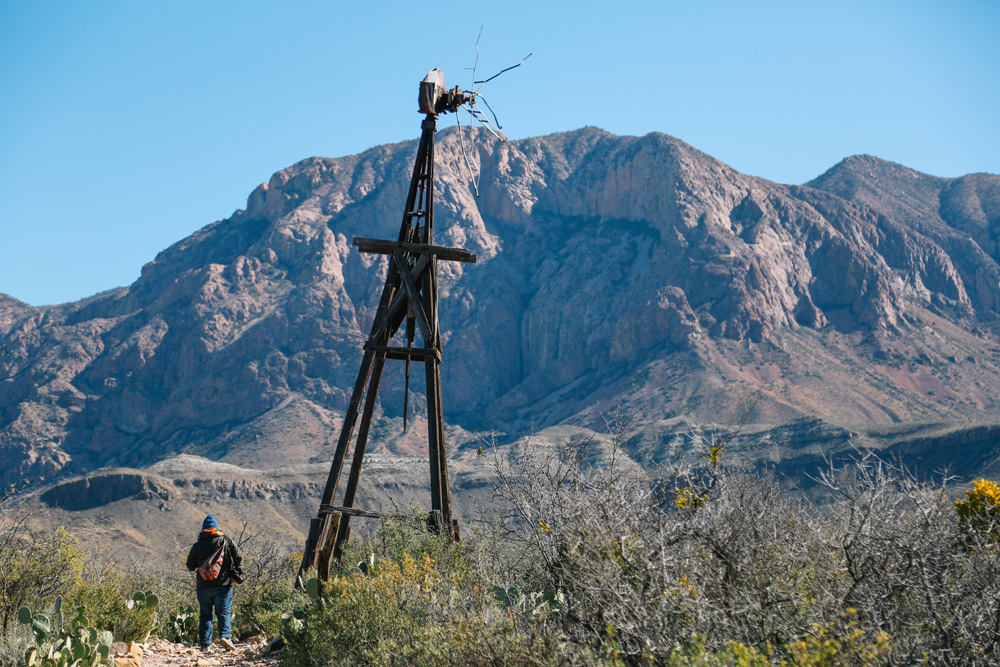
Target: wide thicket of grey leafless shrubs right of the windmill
<point>709,550</point>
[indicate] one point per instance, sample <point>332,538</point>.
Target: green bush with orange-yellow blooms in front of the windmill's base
<point>407,612</point>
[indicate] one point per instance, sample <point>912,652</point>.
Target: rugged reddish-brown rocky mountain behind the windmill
<point>632,269</point>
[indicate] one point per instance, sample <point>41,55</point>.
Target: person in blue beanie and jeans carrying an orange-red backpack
<point>217,559</point>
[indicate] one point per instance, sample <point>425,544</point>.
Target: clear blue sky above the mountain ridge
<point>125,126</point>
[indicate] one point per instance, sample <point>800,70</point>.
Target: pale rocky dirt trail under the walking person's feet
<point>161,653</point>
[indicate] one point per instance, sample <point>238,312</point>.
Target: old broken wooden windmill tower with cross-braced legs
<point>408,305</point>
